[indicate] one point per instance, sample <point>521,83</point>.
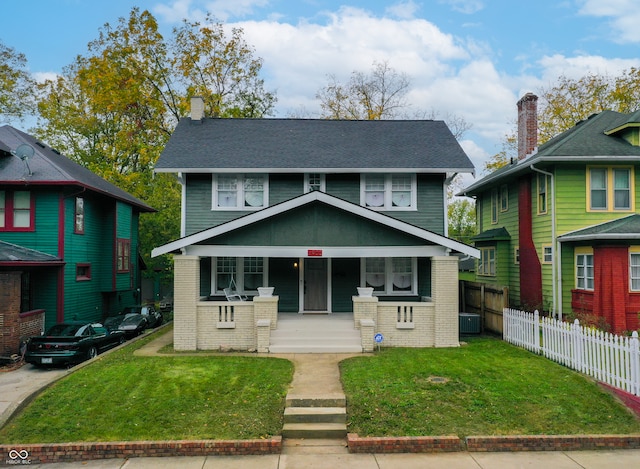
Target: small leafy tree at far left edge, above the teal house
<point>16,85</point>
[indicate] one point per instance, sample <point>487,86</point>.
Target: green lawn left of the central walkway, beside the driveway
<point>124,397</point>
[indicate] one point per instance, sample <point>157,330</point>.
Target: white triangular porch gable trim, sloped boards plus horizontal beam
<point>428,243</point>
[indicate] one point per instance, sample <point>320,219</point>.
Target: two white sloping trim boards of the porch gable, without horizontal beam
<point>428,237</point>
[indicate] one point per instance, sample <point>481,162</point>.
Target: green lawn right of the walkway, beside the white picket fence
<point>492,388</point>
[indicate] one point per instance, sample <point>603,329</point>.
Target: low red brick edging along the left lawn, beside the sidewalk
<point>67,452</point>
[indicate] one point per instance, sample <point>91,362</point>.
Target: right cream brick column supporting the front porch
<point>444,292</point>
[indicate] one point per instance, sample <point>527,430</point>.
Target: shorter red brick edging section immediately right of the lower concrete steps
<point>405,444</point>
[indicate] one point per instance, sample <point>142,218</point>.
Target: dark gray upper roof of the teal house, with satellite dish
<point>50,167</point>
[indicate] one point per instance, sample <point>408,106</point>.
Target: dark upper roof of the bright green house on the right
<point>589,141</point>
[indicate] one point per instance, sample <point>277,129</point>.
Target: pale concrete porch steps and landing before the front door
<point>315,333</point>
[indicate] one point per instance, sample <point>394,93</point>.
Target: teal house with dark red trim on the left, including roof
<point>68,239</point>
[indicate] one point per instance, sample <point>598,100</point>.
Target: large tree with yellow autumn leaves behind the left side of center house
<point>114,109</point>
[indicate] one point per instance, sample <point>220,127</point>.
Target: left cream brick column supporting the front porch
<point>186,295</point>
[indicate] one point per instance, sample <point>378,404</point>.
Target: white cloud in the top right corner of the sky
<point>624,14</point>
